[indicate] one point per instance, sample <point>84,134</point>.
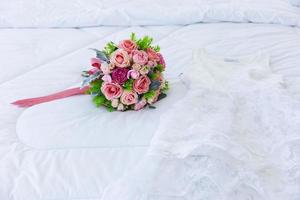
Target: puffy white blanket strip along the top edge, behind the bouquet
<point>82,13</point>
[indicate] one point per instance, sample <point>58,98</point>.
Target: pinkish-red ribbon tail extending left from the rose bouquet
<point>59,95</point>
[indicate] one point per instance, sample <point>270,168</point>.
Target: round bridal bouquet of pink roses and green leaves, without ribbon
<point>127,76</point>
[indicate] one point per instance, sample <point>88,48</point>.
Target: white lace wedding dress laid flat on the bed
<point>238,138</point>
